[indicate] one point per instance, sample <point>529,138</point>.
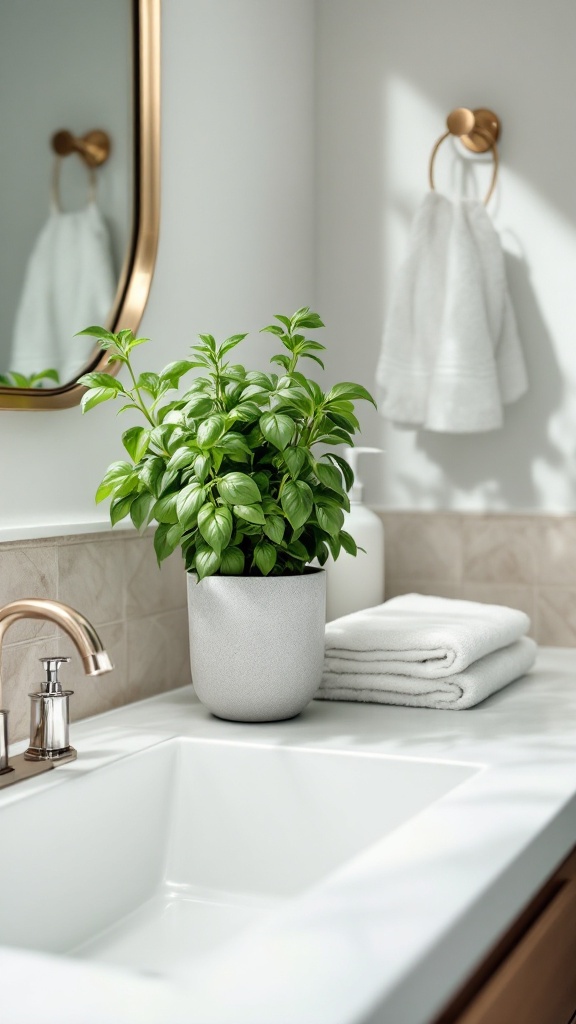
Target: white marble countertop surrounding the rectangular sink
<point>392,935</point>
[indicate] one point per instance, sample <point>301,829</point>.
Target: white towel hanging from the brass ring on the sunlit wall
<point>451,355</point>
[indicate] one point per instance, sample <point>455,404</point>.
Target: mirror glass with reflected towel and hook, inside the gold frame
<point>66,205</point>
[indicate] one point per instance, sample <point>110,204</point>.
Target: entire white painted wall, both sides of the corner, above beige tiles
<point>239,234</point>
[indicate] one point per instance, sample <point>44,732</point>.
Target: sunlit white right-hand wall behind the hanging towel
<point>389,73</point>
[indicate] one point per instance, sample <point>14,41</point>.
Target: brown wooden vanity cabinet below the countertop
<point>530,976</point>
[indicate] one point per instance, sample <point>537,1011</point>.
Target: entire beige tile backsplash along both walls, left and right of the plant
<point>525,562</point>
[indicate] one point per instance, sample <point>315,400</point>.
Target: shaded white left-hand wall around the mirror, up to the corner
<point>237,232</point>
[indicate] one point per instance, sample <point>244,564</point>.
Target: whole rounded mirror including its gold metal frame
<point>130,222</point>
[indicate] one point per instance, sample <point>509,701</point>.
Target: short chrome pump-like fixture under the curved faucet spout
<point>50,717</point>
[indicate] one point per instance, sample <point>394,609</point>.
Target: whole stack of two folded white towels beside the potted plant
<point>426,653</point>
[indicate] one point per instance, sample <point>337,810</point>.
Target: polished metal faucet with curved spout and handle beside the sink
<point>50,713</point>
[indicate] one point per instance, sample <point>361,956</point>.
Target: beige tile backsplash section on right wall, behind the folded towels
<point>525,562</point>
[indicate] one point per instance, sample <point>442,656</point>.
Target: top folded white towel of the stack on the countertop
<point>421,636</point>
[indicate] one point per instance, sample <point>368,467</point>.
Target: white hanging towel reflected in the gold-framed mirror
<point>69,285</point>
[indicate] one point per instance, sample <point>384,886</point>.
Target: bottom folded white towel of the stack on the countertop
<point>464,690</point>
